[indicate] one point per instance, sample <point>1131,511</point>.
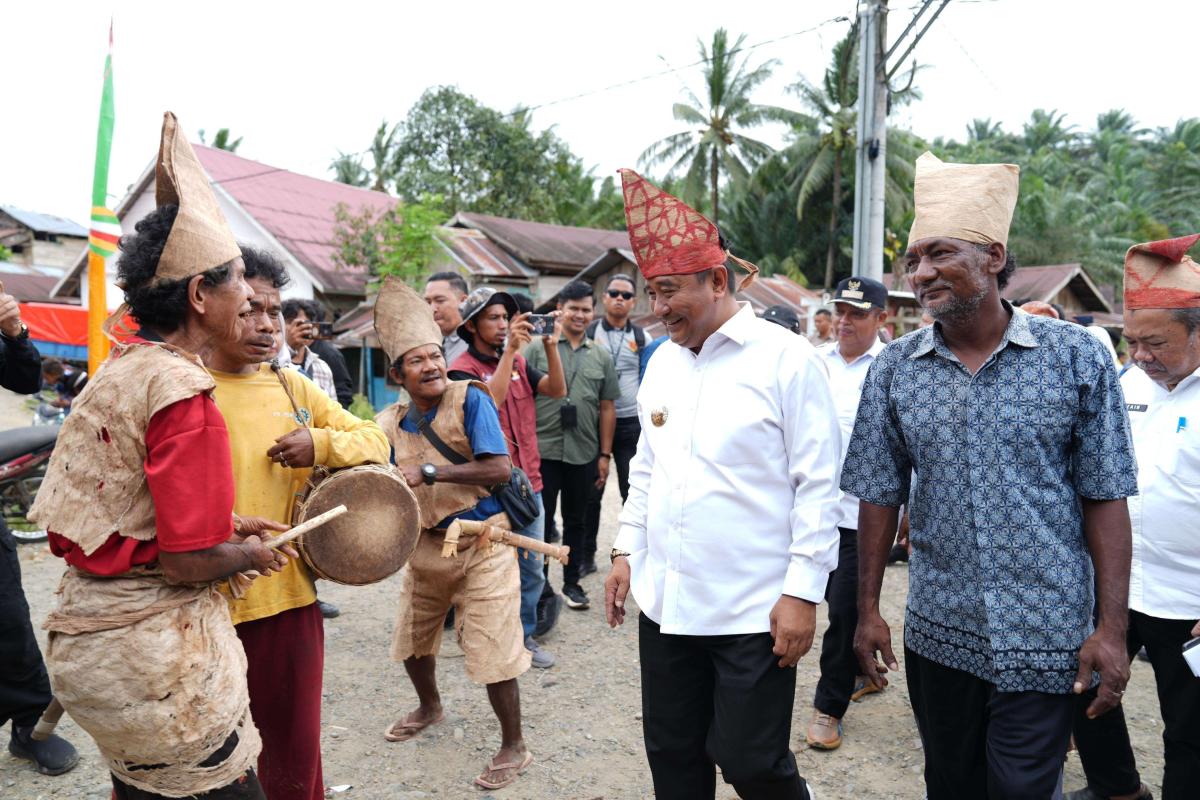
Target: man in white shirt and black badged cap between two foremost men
<point>860,312</point>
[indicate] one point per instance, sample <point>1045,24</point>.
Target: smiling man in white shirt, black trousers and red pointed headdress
<point>729,534</point>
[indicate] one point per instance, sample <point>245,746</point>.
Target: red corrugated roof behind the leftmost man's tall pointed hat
<point>298,210</point>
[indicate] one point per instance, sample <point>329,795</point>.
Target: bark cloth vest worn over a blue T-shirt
<point>440,501</point>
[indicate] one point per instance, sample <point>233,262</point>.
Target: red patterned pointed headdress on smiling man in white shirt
<point>671,238</point>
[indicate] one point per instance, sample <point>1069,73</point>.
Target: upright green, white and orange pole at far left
<point>106,228</point>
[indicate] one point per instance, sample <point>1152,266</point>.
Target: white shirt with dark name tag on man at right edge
<point>1166,515</point>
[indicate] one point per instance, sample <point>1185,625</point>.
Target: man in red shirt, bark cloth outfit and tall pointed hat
<point>139,500</point>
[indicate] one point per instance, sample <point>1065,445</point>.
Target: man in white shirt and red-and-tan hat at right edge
<point>1162,324</point>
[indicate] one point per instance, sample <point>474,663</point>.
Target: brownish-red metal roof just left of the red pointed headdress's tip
<point>542,245</point>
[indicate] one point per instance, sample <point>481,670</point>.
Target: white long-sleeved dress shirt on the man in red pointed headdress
<point>734,491</point>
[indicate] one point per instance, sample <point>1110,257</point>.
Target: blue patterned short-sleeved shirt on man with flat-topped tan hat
<point>1000,580</point>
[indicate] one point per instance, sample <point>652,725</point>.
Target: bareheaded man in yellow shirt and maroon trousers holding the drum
<point>275,444</point>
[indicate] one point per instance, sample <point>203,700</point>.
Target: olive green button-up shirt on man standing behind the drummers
<point>591,378</point>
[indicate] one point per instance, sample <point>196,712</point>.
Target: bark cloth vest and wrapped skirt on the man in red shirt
<point>154,672</point>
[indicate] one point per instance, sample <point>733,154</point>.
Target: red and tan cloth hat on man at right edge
<point>1162,275</point>
